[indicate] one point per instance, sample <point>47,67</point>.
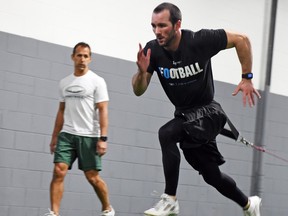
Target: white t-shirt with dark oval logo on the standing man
<point>80,95</point>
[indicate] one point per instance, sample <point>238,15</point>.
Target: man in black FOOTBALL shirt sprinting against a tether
<point>182,61</point>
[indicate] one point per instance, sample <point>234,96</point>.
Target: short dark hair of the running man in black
<point>175,13</point>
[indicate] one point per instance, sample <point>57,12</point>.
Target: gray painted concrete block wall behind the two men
<point>29,74</point>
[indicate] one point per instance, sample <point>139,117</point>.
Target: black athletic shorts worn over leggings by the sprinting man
<point>201,125</point>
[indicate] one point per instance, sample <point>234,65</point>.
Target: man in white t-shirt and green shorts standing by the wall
<point>80,130</point>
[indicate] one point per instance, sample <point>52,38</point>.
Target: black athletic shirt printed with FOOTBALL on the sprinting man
<point>186,74</point>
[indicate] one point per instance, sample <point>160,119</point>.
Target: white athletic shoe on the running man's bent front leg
<point>167,206</point>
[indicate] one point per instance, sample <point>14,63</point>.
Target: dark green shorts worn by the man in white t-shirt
<point>69,147</point>
